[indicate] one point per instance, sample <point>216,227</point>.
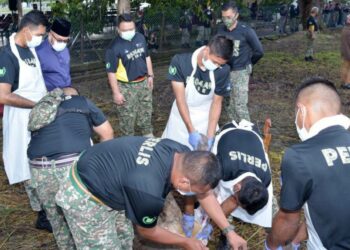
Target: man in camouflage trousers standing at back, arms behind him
<point>247,50</point>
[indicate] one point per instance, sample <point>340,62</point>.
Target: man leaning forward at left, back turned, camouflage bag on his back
<point>54,147</point>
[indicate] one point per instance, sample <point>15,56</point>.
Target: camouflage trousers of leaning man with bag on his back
<point>47,181</point>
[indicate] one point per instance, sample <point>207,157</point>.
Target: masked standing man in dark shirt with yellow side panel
<point>130,75</point>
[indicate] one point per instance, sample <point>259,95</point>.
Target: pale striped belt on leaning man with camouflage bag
<point>61,161</point>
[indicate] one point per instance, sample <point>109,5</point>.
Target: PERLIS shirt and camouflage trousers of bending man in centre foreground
<point>133,178</point>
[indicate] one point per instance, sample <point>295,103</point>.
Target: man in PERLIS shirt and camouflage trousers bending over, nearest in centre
<point>134,176</point>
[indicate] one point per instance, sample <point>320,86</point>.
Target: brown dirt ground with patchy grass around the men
<point>275,79</point>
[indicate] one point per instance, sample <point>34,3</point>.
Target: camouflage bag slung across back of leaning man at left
<point>45,110</point>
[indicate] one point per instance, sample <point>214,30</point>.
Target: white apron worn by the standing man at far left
<point>15,120</point>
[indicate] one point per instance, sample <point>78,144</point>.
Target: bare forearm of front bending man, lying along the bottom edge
<point>163,236</point>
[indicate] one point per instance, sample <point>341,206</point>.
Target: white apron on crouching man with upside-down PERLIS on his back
<point>263,217</point>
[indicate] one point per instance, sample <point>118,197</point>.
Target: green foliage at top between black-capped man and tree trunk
<point>89,14</point>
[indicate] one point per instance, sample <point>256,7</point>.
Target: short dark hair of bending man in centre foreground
<point>201,168</point>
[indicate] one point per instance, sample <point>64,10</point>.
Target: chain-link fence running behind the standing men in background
<point>161,28</point>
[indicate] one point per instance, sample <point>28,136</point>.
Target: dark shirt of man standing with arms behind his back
<point>247,48</point>
